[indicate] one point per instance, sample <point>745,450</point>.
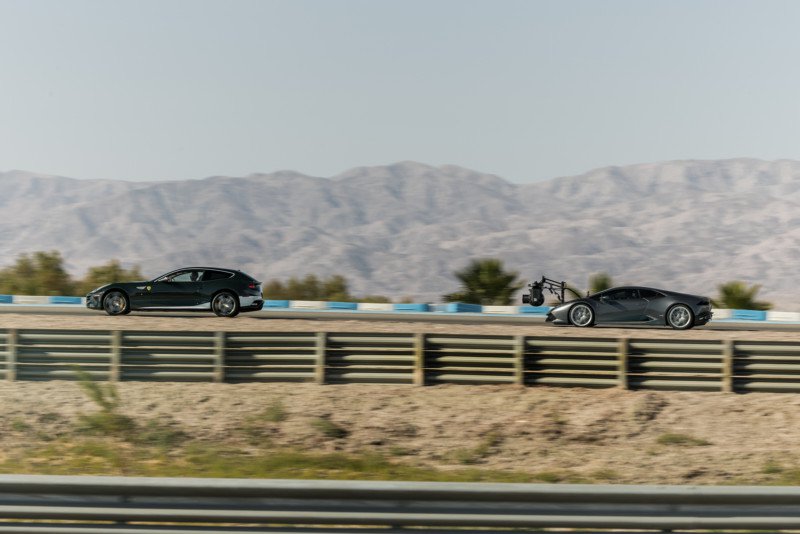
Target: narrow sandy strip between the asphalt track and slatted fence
<point>245,323</point>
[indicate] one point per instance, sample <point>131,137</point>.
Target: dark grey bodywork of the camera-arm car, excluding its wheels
<point>635,305</point>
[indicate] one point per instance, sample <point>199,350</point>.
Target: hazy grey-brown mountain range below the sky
<point>401,230</point>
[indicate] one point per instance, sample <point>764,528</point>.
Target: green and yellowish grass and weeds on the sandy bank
<point>106,441</point>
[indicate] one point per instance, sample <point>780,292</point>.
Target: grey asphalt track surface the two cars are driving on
<point>428,317</point>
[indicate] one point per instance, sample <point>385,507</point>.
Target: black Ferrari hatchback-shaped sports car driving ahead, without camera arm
<point>226,292</point>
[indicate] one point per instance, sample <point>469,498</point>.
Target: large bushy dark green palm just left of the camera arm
<point>485,281</point>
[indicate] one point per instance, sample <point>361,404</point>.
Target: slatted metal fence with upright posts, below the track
<point>419,359</point>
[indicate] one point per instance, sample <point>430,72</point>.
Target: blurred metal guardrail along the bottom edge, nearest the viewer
<point>99,505</point>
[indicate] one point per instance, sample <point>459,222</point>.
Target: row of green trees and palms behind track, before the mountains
<point>483,281</point>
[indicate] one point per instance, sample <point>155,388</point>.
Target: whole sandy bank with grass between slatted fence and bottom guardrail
<point>551,436</point>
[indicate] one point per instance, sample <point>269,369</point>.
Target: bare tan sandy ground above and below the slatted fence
<point>598,435</point>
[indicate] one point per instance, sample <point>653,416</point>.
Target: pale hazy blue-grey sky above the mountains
<point>152,90</point>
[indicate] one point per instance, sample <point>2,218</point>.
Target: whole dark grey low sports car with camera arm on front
<point>636,305</point>
